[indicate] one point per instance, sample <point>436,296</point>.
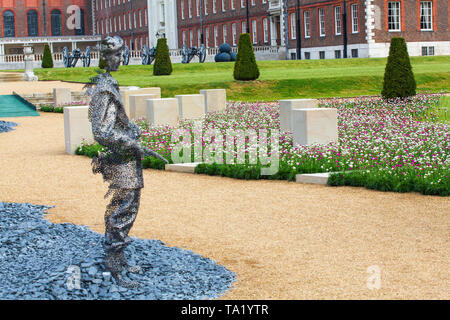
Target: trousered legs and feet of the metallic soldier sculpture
<point>119,218</point>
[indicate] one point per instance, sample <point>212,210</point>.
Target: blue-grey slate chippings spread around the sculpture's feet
<point>40,260</point>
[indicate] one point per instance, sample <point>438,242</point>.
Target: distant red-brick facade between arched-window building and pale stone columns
<point>125,18</point>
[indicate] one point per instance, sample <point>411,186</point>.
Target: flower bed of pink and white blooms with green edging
<point>395,146</point>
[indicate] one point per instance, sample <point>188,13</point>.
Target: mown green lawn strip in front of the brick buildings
<point>278,80</point>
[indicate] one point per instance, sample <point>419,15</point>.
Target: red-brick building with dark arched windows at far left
<point>44,21</point>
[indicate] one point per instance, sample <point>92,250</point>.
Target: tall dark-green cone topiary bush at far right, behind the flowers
<point>399,79</point>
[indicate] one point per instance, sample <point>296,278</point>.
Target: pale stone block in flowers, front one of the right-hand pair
<point>314,126</point>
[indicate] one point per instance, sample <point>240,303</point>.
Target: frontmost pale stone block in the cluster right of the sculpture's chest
<point>163,112</point>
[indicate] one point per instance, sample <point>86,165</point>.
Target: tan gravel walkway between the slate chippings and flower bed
<point>284,240</point>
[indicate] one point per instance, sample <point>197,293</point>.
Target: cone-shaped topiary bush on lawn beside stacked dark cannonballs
<point>245,67</point>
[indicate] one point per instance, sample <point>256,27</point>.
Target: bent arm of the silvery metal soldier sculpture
<point>104,130</point>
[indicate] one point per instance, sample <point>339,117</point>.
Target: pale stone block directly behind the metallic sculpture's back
<point>76,127</point>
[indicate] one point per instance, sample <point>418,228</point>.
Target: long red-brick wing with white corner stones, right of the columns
<point>369,25</point>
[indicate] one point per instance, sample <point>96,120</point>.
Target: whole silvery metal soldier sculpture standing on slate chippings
<point>121,165</point>
